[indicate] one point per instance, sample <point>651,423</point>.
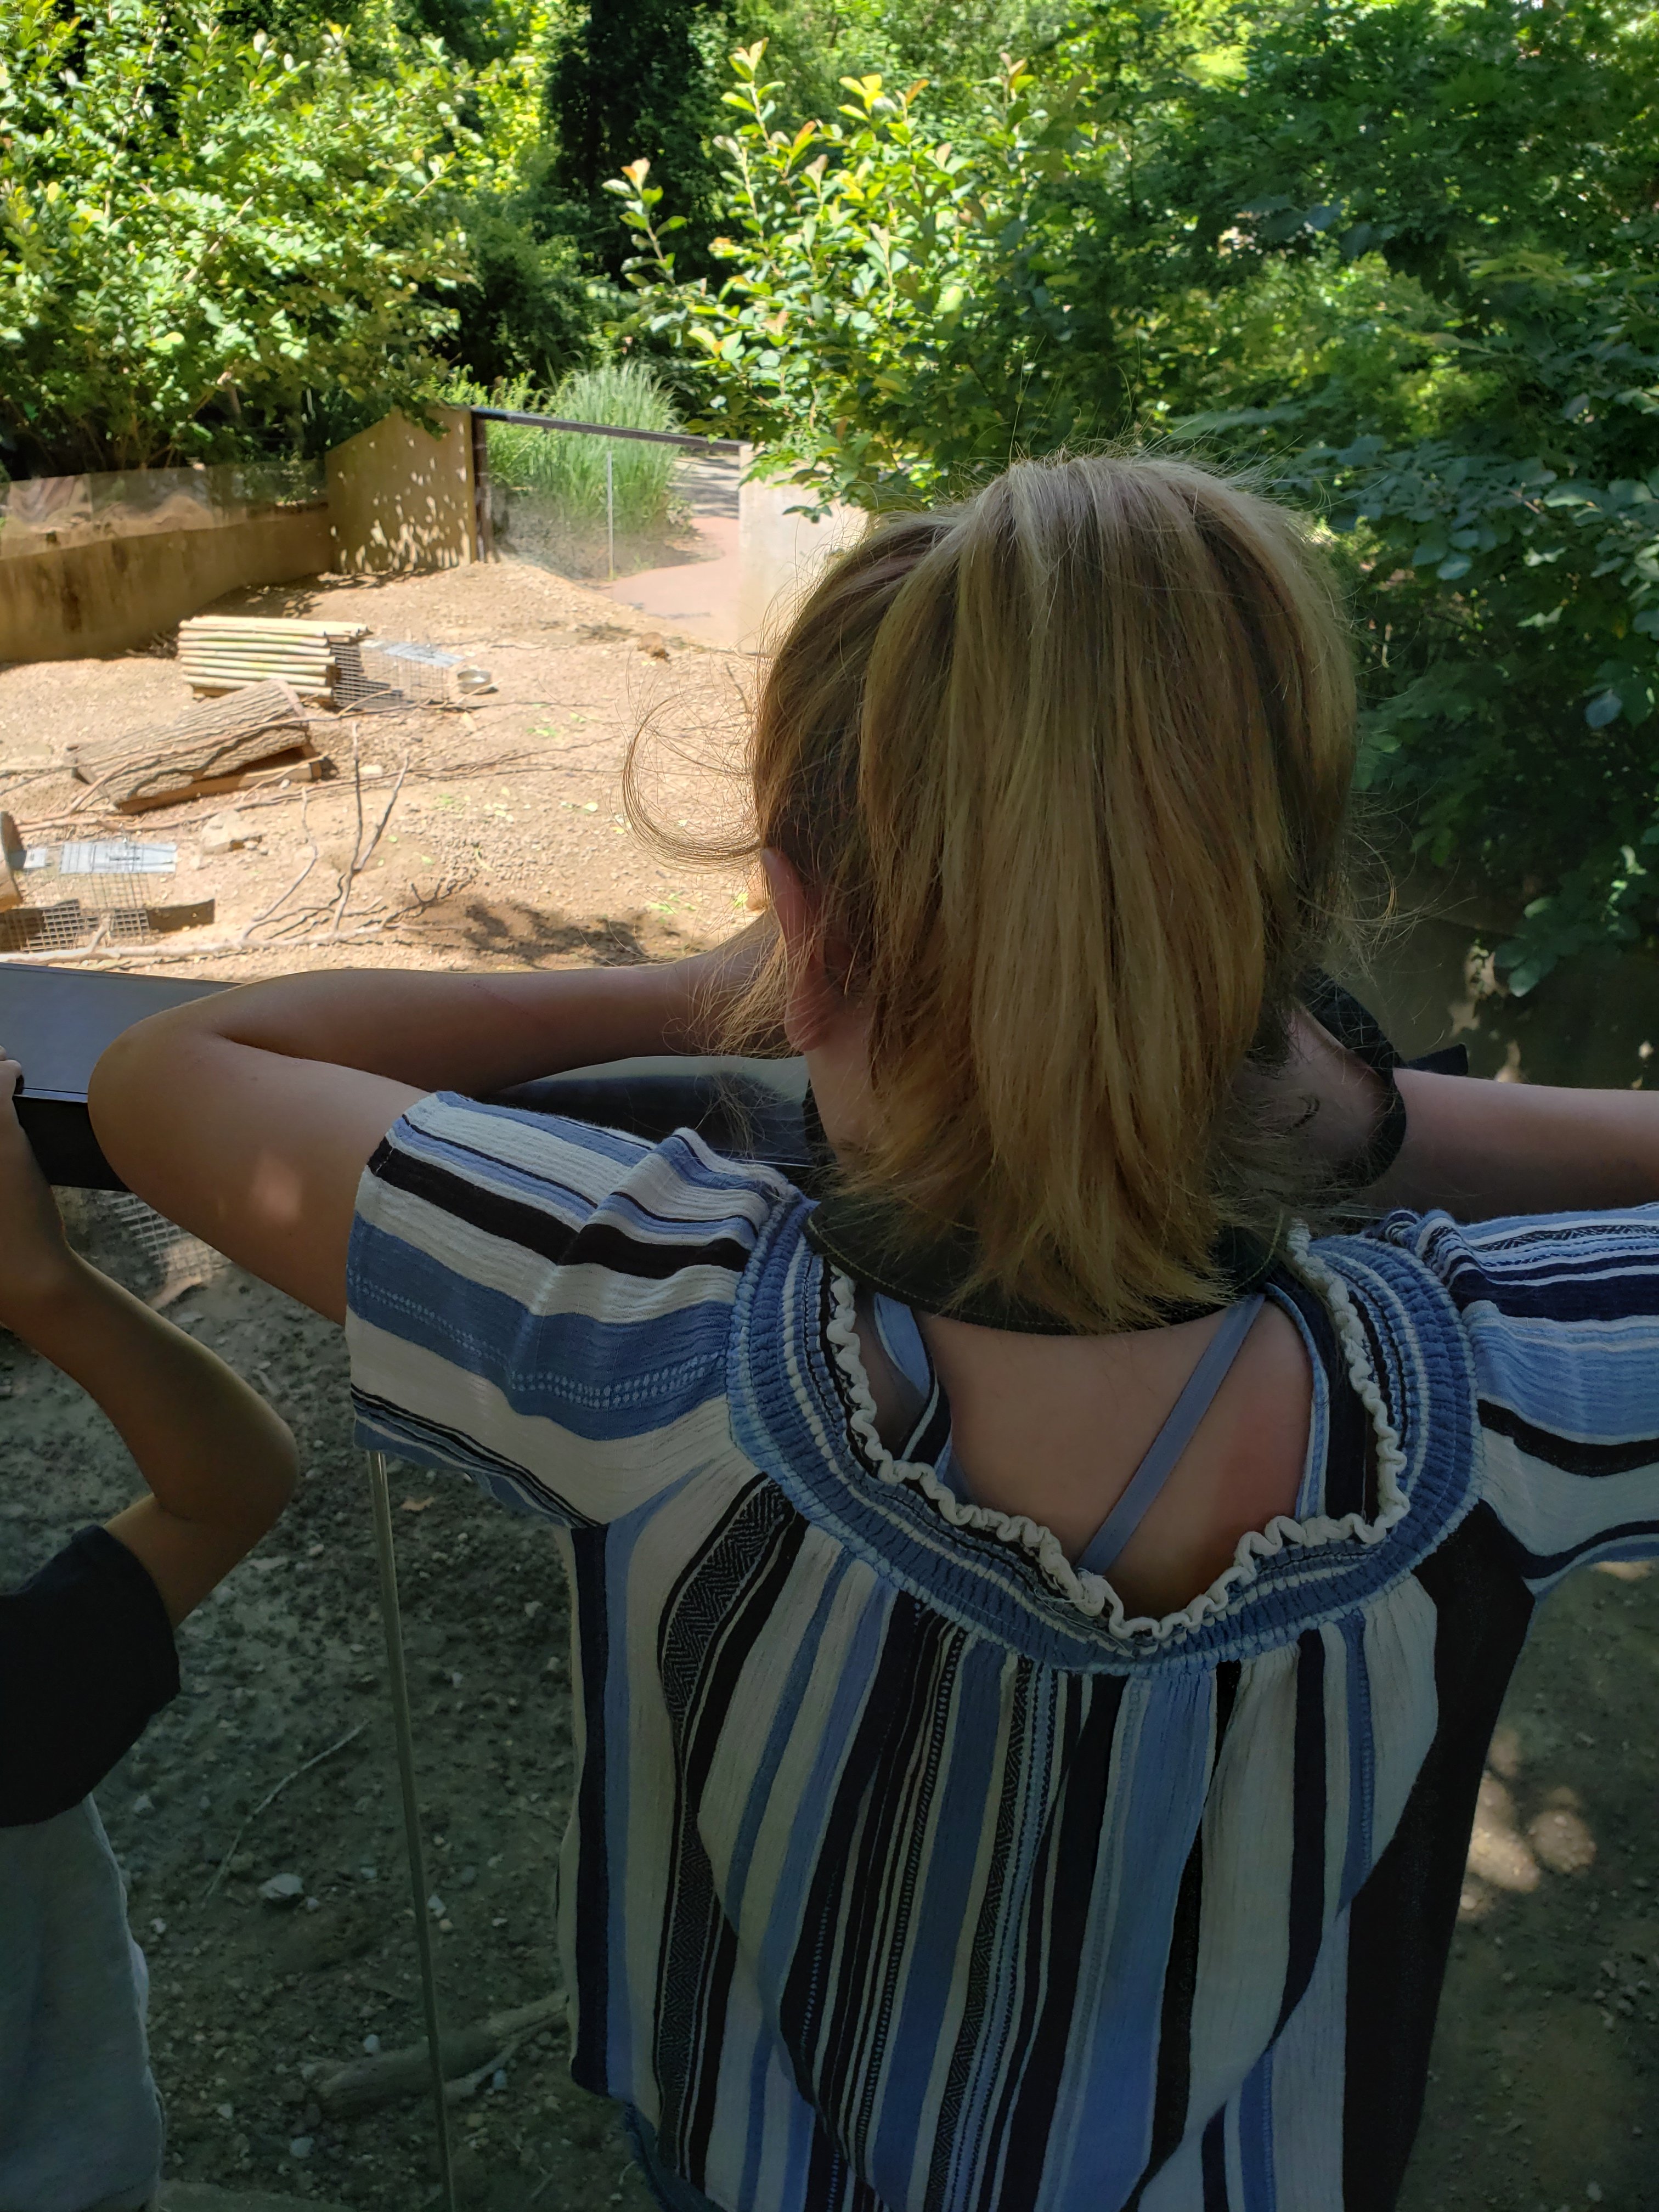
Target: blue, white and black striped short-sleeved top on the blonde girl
<point>908,1872</point>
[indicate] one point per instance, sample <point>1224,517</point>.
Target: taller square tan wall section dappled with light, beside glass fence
<point>401,499</point>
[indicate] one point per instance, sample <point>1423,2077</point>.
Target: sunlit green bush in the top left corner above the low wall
<point>198,233</point>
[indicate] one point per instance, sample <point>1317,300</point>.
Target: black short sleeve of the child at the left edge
<point>87,1658</point>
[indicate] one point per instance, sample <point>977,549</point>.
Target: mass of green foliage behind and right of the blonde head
<point>1397,255</point>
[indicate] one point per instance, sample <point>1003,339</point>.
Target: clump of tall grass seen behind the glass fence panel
<point>567,470</point>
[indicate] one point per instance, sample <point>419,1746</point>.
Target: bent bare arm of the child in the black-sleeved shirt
<point>220,1463</point>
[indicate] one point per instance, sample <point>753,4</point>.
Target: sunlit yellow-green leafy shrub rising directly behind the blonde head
<point>864,333</point>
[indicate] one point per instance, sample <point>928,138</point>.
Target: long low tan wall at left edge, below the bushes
<point>116,594</point>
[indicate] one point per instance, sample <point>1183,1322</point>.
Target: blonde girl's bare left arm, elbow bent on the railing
<point>249,1116</point>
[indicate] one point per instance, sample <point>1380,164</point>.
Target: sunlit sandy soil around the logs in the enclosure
<point>505,842</point>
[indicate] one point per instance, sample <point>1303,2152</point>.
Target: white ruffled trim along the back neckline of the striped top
<point>1094,1594</point>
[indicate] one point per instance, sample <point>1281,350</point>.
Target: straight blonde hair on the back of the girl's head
<point>1067,769</point>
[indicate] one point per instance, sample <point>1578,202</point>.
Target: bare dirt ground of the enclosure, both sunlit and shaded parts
<point>508,851</point>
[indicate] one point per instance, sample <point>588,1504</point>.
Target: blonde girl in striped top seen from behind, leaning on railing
<point>1039,1614</point>
